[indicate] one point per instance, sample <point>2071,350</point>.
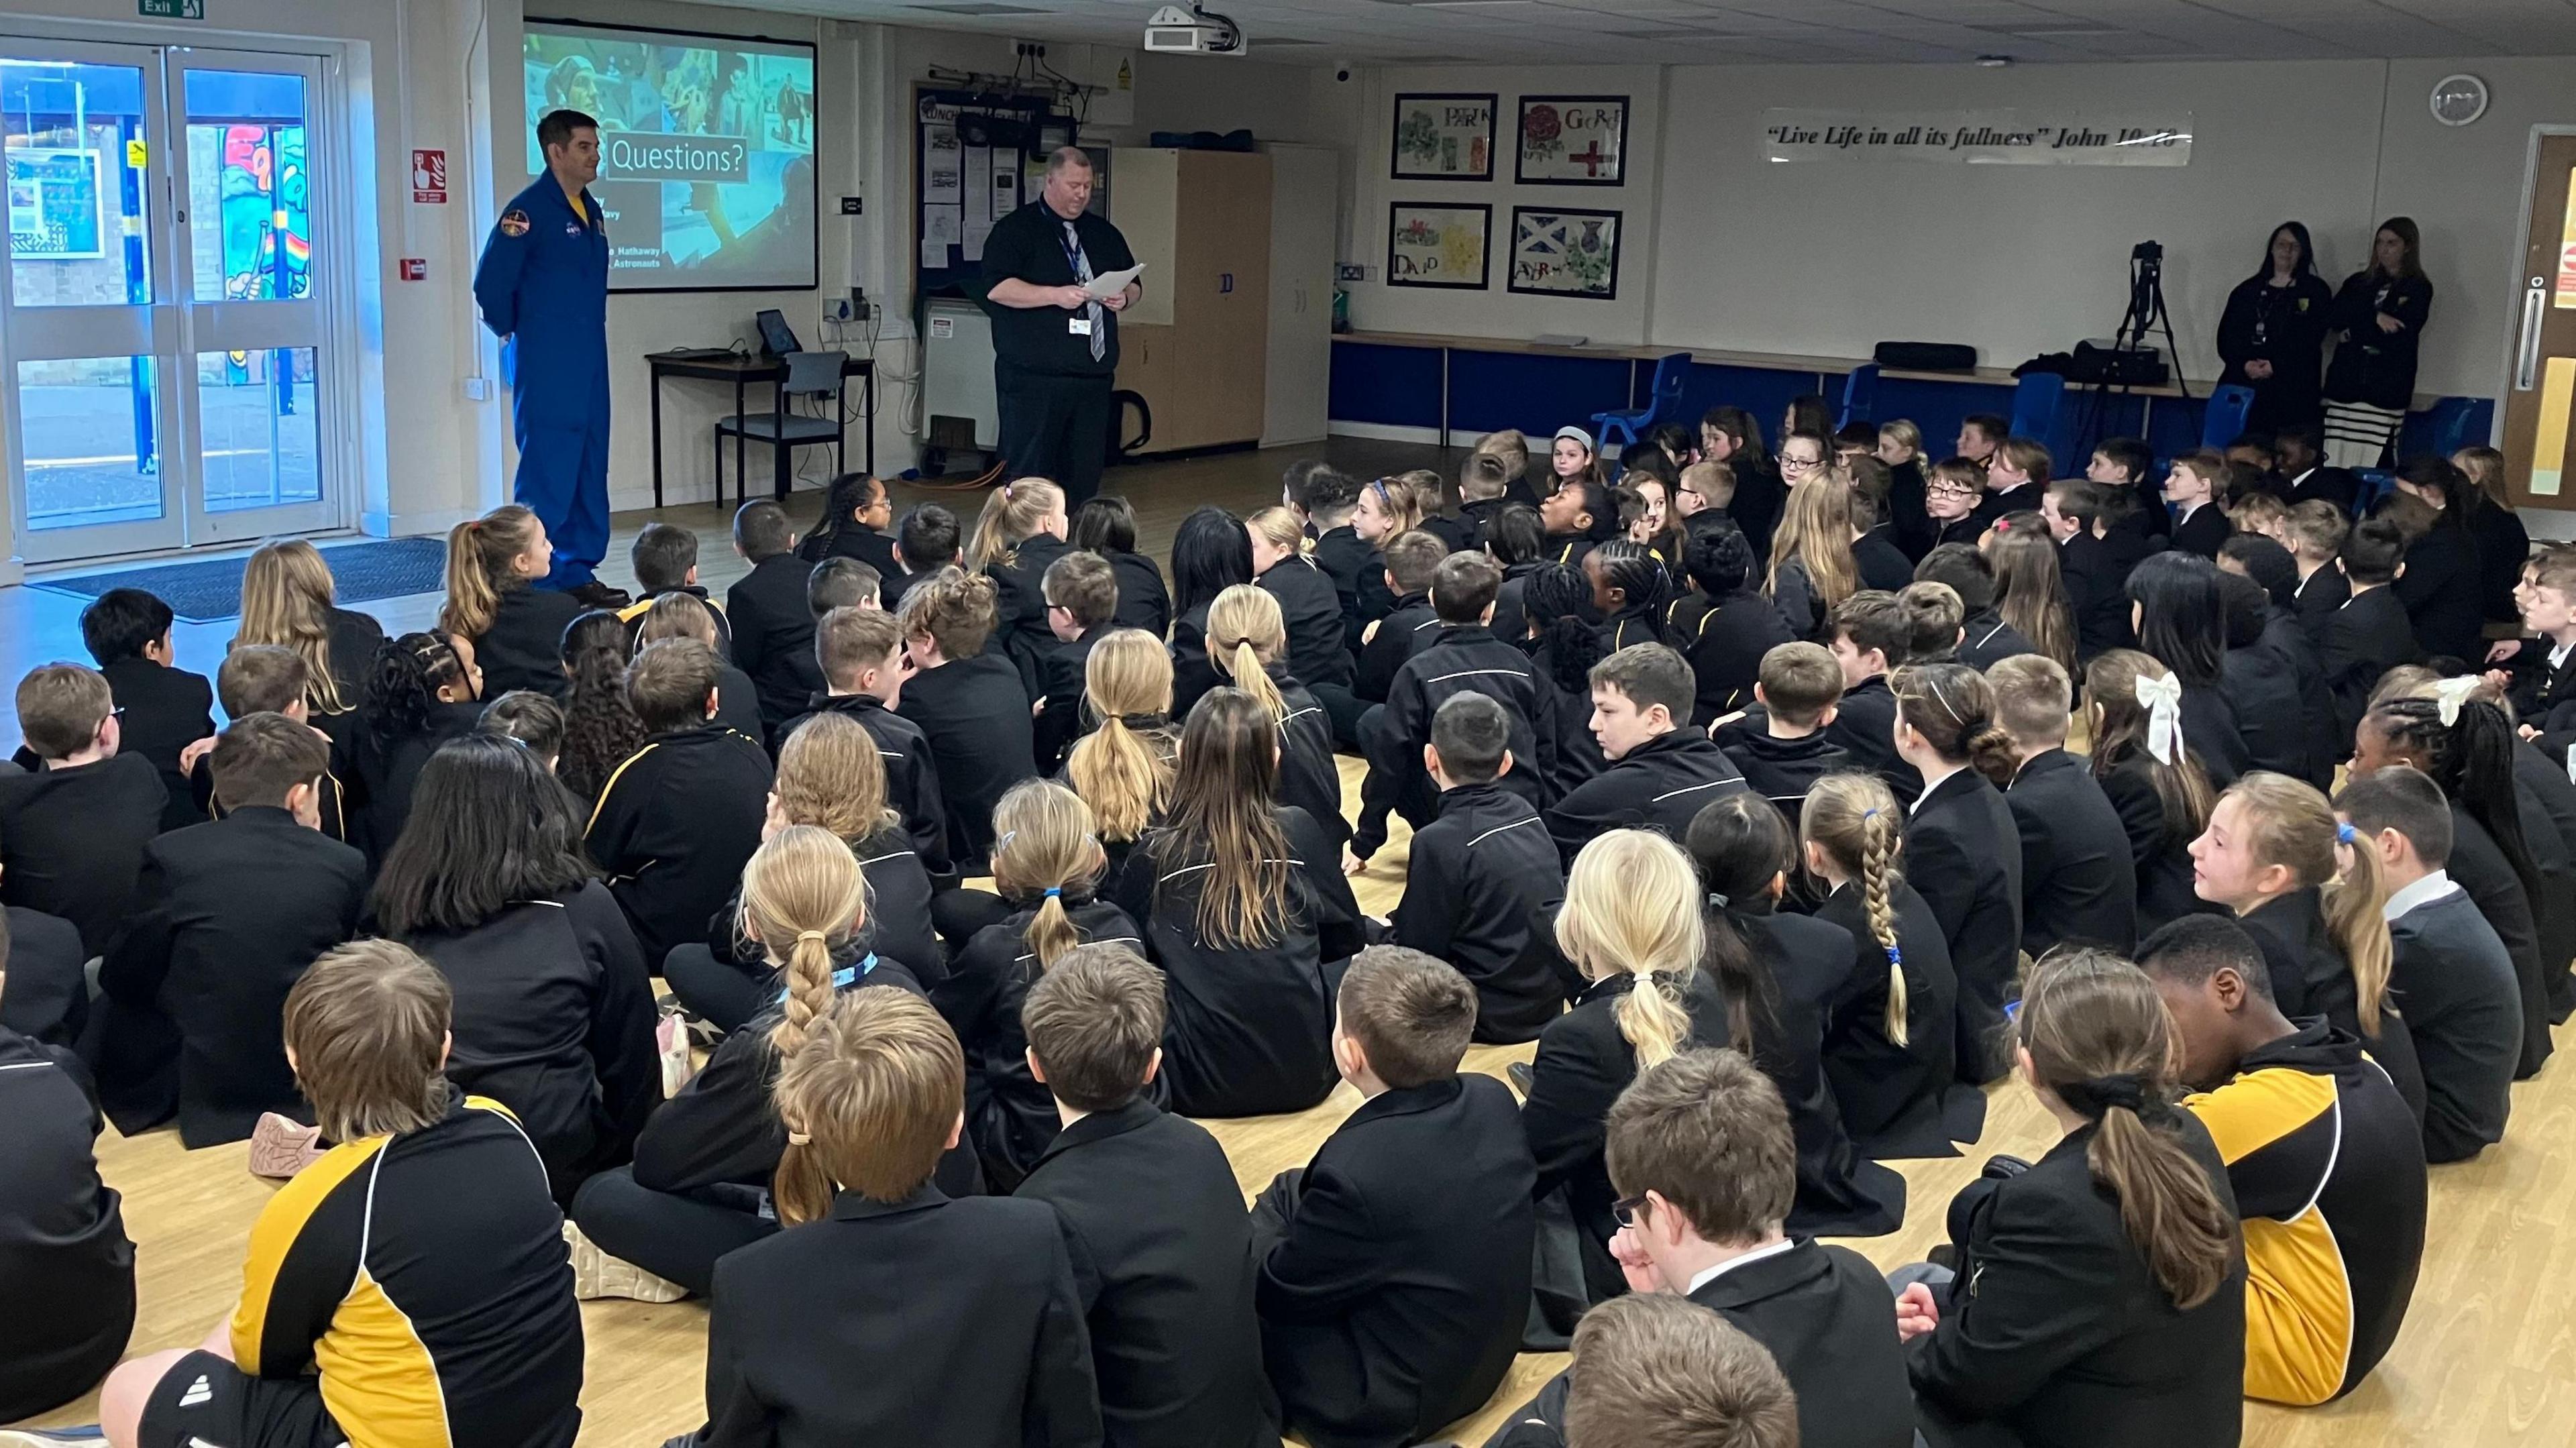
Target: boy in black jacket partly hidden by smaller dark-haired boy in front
<point>1462,658</point>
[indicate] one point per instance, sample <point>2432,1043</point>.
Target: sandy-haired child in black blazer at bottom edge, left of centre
<point>965,1308</point>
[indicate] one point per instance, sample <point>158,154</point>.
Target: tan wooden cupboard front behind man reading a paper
<point>1197,344</point>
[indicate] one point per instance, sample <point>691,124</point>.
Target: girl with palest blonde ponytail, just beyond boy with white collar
<point>1632,926</point>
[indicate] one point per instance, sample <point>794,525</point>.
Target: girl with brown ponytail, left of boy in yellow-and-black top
<point>2101,1292</point>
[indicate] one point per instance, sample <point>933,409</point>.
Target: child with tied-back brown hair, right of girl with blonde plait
<point>1962,846</point>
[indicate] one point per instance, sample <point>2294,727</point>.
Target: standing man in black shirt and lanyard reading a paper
<point>1055,349</point>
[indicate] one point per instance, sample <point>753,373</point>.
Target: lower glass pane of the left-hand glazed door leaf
<point>91,452</point>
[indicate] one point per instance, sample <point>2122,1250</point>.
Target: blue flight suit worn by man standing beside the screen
<point>545,290</point>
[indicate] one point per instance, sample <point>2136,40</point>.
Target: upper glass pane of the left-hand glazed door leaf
<point>76,184</point>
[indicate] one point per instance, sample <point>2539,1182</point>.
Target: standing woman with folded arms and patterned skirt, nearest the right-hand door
<point>2379,323</point>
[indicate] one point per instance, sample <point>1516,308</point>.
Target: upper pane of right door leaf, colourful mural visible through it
<point>251,236</point>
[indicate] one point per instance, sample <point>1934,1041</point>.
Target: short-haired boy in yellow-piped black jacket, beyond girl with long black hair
<point>681,815</point>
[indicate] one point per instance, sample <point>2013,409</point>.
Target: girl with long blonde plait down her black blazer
<point>1889,1045</point>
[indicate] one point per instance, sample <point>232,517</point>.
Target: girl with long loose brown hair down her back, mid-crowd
<point>1243,911</point>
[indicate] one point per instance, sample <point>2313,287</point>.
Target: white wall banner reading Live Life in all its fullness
<point>1980,138</point>
